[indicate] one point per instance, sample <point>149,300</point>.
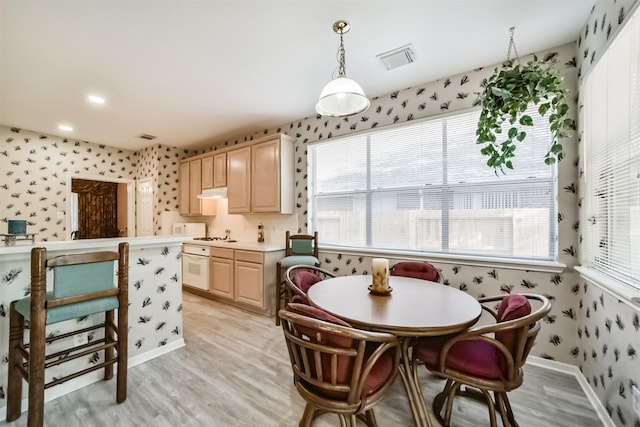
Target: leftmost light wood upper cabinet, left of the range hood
<point>189,187</point>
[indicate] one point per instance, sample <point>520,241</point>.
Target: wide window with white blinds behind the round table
<point>425,187</point>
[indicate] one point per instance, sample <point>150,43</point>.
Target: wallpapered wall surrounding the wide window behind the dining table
<point>557,339</point>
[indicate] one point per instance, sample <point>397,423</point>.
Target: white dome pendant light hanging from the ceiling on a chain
<point>341,96</point>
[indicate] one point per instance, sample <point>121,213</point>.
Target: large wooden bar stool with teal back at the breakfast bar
<point>83,284</point>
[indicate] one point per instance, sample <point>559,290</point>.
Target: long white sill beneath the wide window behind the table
<point>513,264</point>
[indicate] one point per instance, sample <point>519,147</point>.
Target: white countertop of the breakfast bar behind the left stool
<point>65,245</point>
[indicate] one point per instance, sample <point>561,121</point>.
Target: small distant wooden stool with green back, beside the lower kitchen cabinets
<point>300,249</point>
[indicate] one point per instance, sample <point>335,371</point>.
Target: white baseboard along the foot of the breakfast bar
<point>88,379</point>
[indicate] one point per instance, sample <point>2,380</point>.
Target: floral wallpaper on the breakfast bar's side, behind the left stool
<point>155,307</point>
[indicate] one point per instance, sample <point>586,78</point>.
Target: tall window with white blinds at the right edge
<point>611,171</point>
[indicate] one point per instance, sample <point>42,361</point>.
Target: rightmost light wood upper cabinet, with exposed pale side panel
<point>272,176</point>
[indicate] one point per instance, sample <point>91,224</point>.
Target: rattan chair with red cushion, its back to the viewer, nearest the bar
<point>337,368</point>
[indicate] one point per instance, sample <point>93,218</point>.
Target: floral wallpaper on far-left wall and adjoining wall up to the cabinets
<point>35,168</point>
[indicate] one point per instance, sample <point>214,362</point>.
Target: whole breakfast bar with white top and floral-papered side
<point>155,300</point>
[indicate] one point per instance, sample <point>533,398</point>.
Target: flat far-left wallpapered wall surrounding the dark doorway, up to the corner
<point>34,175</point>
